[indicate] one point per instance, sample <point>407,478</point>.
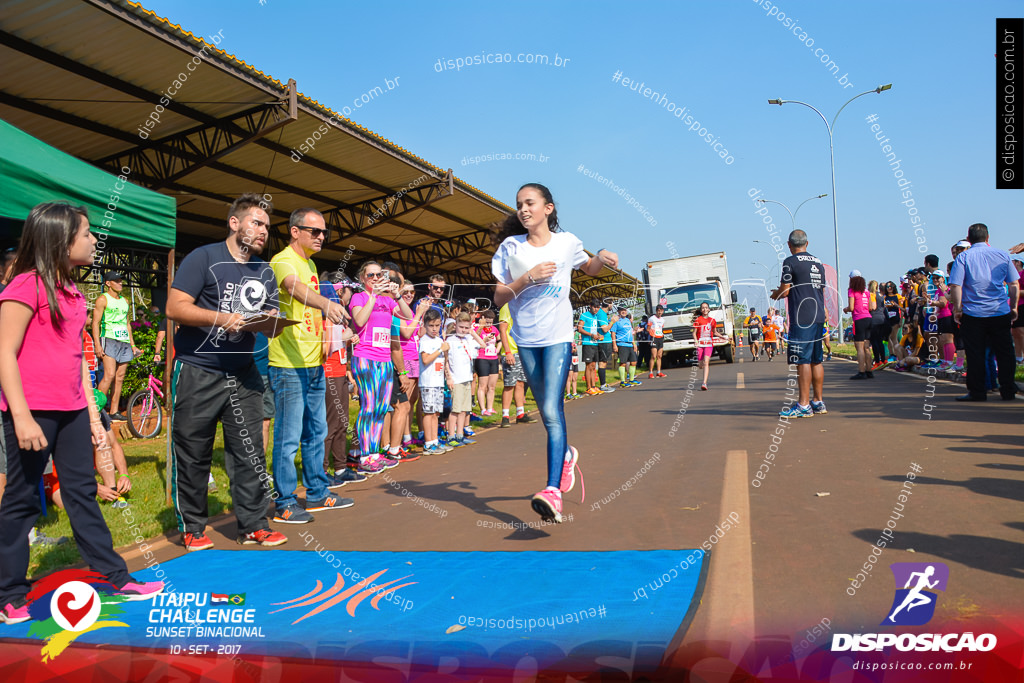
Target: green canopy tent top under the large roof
<point>32,173</point>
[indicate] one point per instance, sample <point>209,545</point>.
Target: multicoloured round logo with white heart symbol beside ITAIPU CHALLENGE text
<point>69,604</point>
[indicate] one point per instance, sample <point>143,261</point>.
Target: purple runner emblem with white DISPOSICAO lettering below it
<point>914,605</point>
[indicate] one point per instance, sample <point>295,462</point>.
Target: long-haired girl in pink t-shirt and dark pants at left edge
<point>49,406</point>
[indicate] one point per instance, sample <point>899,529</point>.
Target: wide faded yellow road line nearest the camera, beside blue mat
<point>731,584</point>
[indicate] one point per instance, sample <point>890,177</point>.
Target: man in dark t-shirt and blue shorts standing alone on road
<point>804,287</point>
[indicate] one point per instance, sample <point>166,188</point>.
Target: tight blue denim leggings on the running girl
<point>547,369</point>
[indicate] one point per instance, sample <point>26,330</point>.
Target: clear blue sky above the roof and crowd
<point>723,61</point>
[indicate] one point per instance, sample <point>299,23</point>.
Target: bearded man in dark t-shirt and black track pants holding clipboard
<point>217,289</point>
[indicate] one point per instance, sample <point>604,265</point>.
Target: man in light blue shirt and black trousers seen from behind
<point>985,294</point>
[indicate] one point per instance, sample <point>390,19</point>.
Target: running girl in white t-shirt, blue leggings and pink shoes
<point>534,268</point>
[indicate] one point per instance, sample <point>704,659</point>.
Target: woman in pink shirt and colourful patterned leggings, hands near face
<point>372,368</point>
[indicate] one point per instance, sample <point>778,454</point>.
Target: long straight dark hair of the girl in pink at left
<point>47,239</point>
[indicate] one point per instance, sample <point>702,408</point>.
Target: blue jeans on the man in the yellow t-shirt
<point>301,419</point>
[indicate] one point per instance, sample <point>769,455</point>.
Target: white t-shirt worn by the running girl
<point>542,313</point>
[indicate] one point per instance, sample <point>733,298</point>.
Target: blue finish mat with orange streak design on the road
<point>485,610</point>
